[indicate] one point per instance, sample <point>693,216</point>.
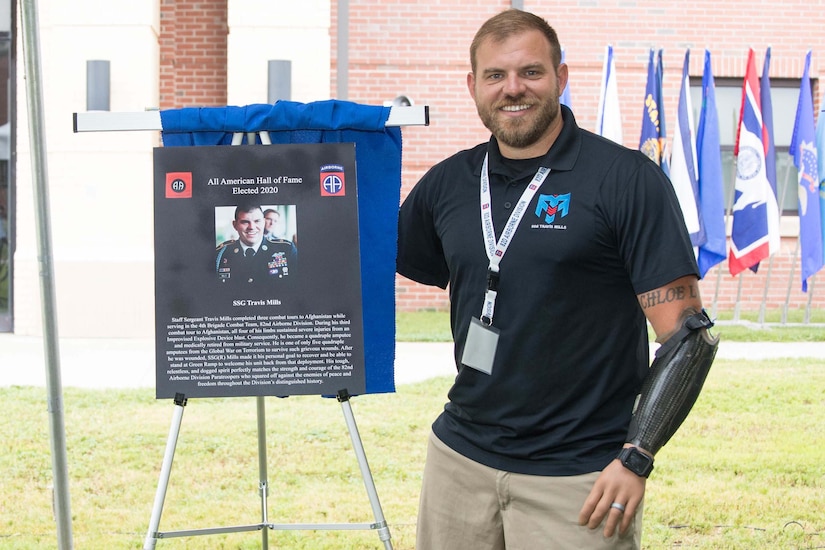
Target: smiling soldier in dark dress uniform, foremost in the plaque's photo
<point>252,258</point>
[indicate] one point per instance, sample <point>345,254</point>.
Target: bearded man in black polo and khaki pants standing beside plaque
<point>558,247</point>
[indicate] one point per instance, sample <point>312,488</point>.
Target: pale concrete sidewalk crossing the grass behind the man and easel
<point>130,363</point>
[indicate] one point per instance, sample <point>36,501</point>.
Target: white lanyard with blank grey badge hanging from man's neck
<point>482,337</point>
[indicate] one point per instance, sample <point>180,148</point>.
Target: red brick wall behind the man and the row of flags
<point>420,49</point>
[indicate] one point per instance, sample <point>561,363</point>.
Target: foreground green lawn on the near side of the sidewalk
<point>745,471</point>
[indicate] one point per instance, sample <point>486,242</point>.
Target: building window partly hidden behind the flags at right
<point>784,97</point>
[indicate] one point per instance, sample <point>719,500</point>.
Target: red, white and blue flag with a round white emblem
<point>755,231</point>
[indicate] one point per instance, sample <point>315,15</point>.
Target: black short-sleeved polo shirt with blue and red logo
<point>604,226</point>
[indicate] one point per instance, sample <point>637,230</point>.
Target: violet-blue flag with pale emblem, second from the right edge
<point>803,150</point>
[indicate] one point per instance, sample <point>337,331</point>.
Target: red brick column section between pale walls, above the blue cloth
<point>193,37</point>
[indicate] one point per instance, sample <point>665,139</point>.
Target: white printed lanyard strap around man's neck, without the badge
<point>496,250</point>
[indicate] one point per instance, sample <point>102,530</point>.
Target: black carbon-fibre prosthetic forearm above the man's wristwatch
<point>673,384</point>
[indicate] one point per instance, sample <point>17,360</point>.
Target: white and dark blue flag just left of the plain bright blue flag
<point>683,161</point>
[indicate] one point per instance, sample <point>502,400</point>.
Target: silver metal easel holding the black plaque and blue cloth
<point>150,120</point>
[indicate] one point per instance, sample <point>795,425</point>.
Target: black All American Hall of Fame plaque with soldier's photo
<point>283,319</point>
